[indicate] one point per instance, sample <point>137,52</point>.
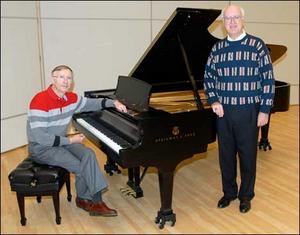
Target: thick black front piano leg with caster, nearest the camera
<point>166,189</point>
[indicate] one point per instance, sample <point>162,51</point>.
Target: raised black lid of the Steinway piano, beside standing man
<point>163,65</point>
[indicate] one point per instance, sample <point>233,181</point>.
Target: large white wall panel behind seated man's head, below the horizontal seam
<point>97,50</point>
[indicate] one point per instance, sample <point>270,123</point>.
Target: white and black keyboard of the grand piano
<point>111,141</point>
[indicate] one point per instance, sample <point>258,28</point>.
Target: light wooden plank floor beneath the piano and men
<point>197,188</point>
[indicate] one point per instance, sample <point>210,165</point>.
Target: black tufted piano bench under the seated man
<point>33,179</point>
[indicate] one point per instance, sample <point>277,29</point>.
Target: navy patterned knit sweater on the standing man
<point>240,73</point>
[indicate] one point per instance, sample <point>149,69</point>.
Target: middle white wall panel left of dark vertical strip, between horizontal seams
<point>20,65</point>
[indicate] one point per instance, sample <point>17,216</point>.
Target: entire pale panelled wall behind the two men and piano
<point>103,39</point>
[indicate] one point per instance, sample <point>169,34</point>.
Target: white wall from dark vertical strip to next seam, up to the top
<point>99,40</point>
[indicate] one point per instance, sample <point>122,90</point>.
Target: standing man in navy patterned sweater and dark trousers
<point>239,83</point>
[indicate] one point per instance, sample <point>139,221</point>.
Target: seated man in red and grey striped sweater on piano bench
<point>50,113</point>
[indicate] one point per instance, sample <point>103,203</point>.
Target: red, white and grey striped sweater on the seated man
<point>49,115</point>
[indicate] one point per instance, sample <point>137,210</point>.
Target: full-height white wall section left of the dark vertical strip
<point>20,69</point>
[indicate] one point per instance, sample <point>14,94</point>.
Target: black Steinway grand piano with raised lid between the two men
<point>175,123</point>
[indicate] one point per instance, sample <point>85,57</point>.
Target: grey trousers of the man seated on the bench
<point>76,158</point>
